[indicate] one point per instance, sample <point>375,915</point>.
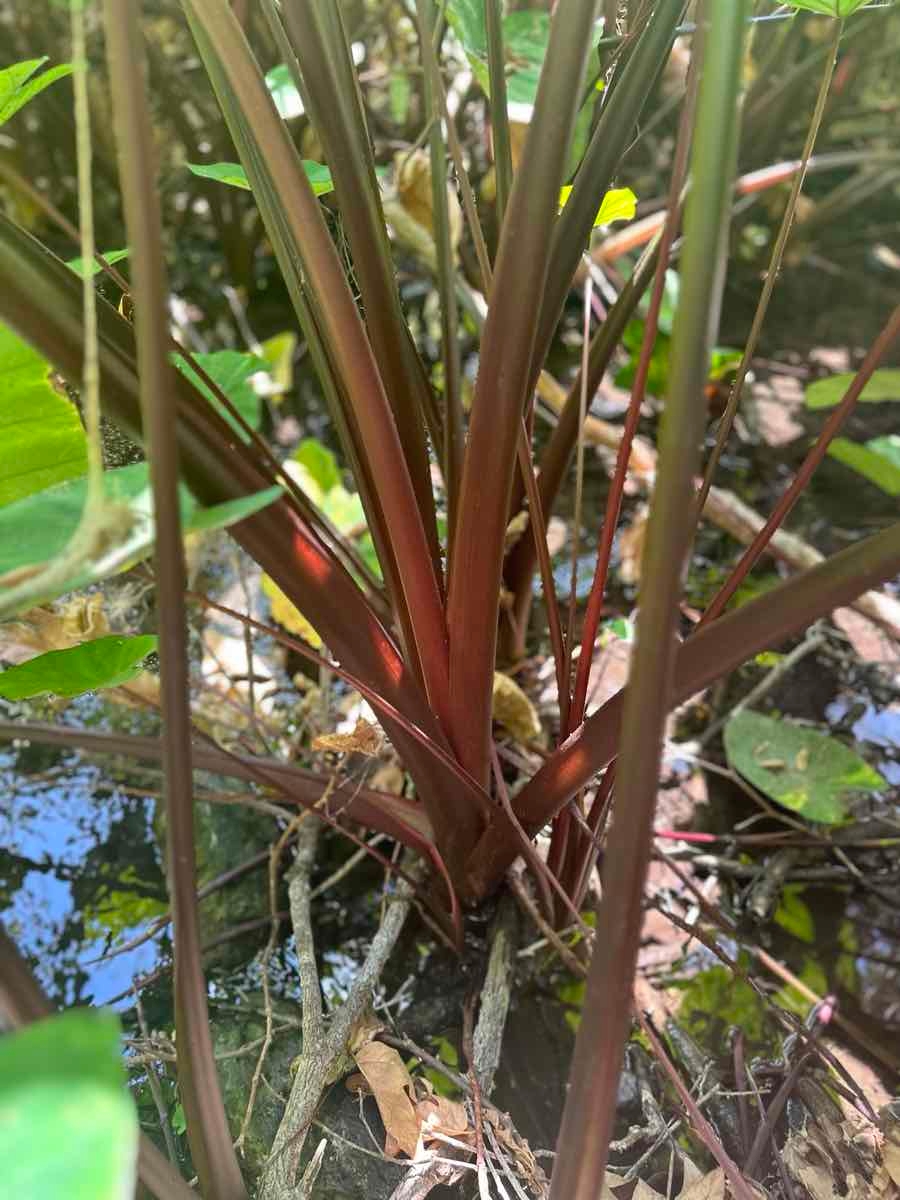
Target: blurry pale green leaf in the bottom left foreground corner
<point>68,1126</point>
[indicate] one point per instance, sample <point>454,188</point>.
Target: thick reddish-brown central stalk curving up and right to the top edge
<point>502,389</point>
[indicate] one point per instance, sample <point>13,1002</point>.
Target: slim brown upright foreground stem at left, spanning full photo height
<point>199,1079</point>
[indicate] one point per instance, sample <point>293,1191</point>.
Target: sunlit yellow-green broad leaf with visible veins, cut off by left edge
<point>41,437</point>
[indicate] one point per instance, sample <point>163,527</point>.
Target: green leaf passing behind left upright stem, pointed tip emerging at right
<point>38,529</point>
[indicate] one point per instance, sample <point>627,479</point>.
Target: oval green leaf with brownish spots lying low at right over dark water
<point>806,771</point>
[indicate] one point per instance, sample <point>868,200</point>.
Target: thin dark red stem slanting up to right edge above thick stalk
<point>757,548</point>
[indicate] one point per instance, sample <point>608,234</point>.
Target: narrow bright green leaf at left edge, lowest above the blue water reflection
<point>103,663</point>
